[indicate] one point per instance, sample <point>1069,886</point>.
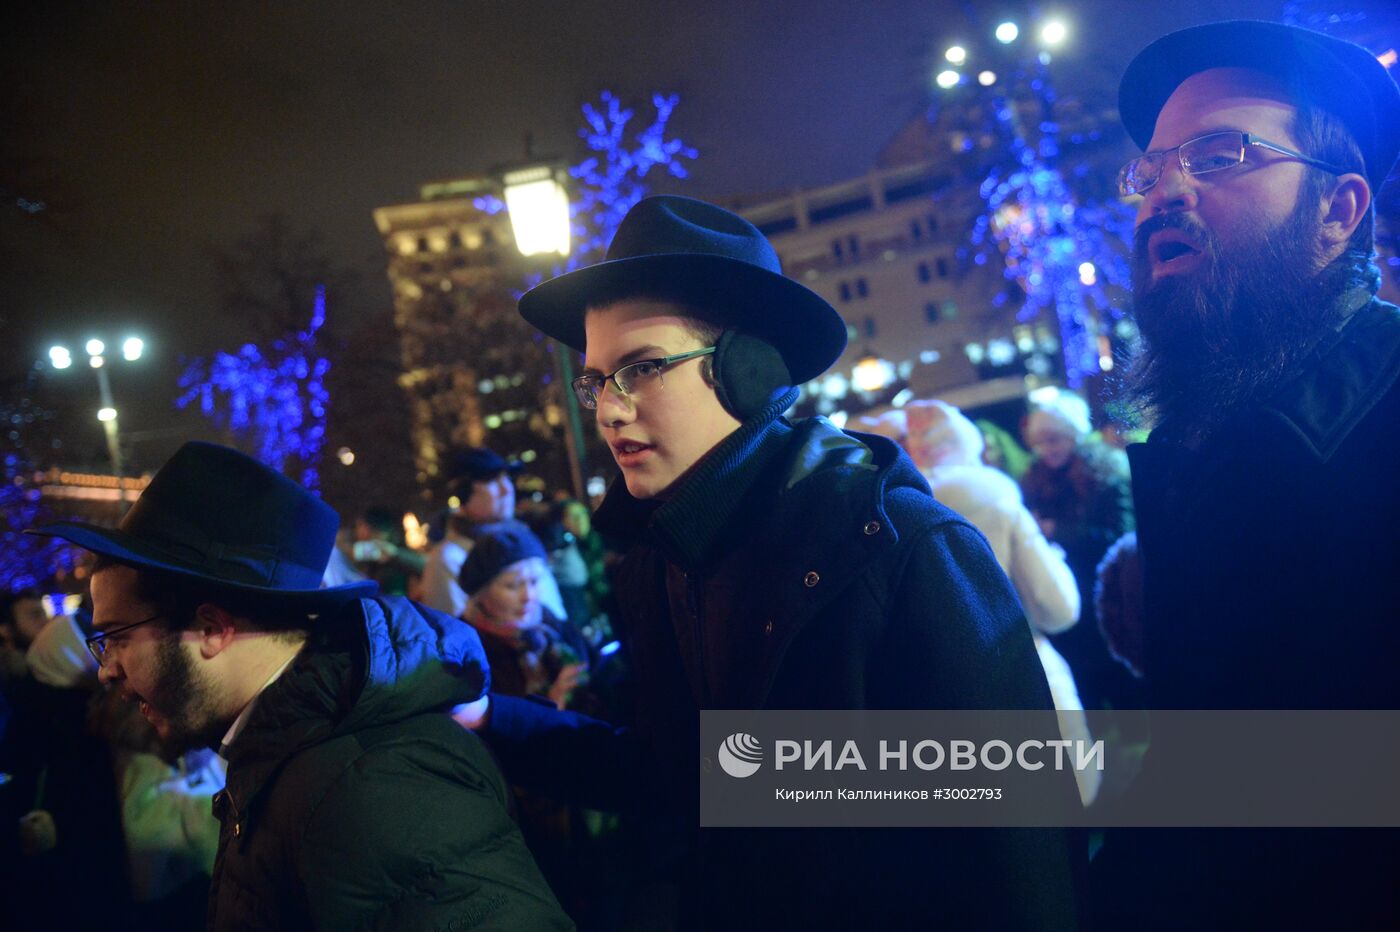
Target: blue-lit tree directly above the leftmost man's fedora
<point>272,398</point>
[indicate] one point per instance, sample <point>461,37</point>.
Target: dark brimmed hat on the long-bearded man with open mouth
<point>1338,76</point>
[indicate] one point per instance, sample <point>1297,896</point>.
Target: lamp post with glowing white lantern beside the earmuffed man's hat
<point>538,205</point>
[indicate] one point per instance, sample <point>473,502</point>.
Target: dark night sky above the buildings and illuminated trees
<point>160,132</point>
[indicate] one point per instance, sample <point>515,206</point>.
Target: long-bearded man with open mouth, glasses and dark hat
<point>1266,497</point>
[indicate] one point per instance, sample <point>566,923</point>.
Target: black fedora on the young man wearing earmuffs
<point>712,257</point>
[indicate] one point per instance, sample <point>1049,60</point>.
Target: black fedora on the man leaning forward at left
<point>218,516</point>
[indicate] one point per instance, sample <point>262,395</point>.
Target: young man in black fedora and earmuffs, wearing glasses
<point>771,566</point>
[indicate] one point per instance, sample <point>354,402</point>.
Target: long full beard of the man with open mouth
<point>1234,330</point>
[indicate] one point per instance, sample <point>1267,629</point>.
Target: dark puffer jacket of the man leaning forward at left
<point>356,803</point>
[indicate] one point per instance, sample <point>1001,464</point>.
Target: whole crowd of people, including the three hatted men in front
<point>262,716</point>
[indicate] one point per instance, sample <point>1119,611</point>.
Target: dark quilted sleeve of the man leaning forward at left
<point>425,814</point>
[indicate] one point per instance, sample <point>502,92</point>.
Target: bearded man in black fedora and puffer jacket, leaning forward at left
<point>353,800</point>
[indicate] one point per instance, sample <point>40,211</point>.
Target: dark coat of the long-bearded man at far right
<point>1272,562</point>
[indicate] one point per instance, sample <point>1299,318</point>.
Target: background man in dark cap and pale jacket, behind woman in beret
<point>485,486</point>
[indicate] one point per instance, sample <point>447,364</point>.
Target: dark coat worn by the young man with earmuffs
<point>843,586</point>
